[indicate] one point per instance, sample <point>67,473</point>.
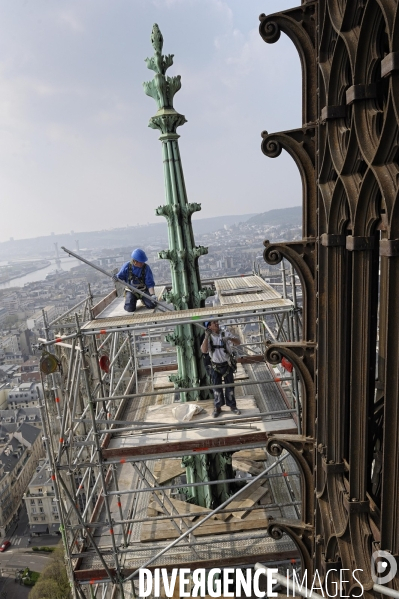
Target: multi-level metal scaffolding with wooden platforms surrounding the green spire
<point>104,385</point>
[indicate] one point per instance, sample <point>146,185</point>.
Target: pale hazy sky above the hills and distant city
<point>76,152</point>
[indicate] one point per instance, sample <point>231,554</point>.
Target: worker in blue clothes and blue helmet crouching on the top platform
<point>137,273</point>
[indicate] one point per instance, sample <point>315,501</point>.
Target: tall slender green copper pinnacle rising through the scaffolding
<point>183,256</point>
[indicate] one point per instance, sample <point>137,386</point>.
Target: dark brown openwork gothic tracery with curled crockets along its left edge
<point>347,152</point>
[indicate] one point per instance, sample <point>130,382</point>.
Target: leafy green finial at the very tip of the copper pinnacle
<point>162,88</point>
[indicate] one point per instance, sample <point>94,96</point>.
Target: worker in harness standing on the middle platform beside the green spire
<point>217,344</point>
